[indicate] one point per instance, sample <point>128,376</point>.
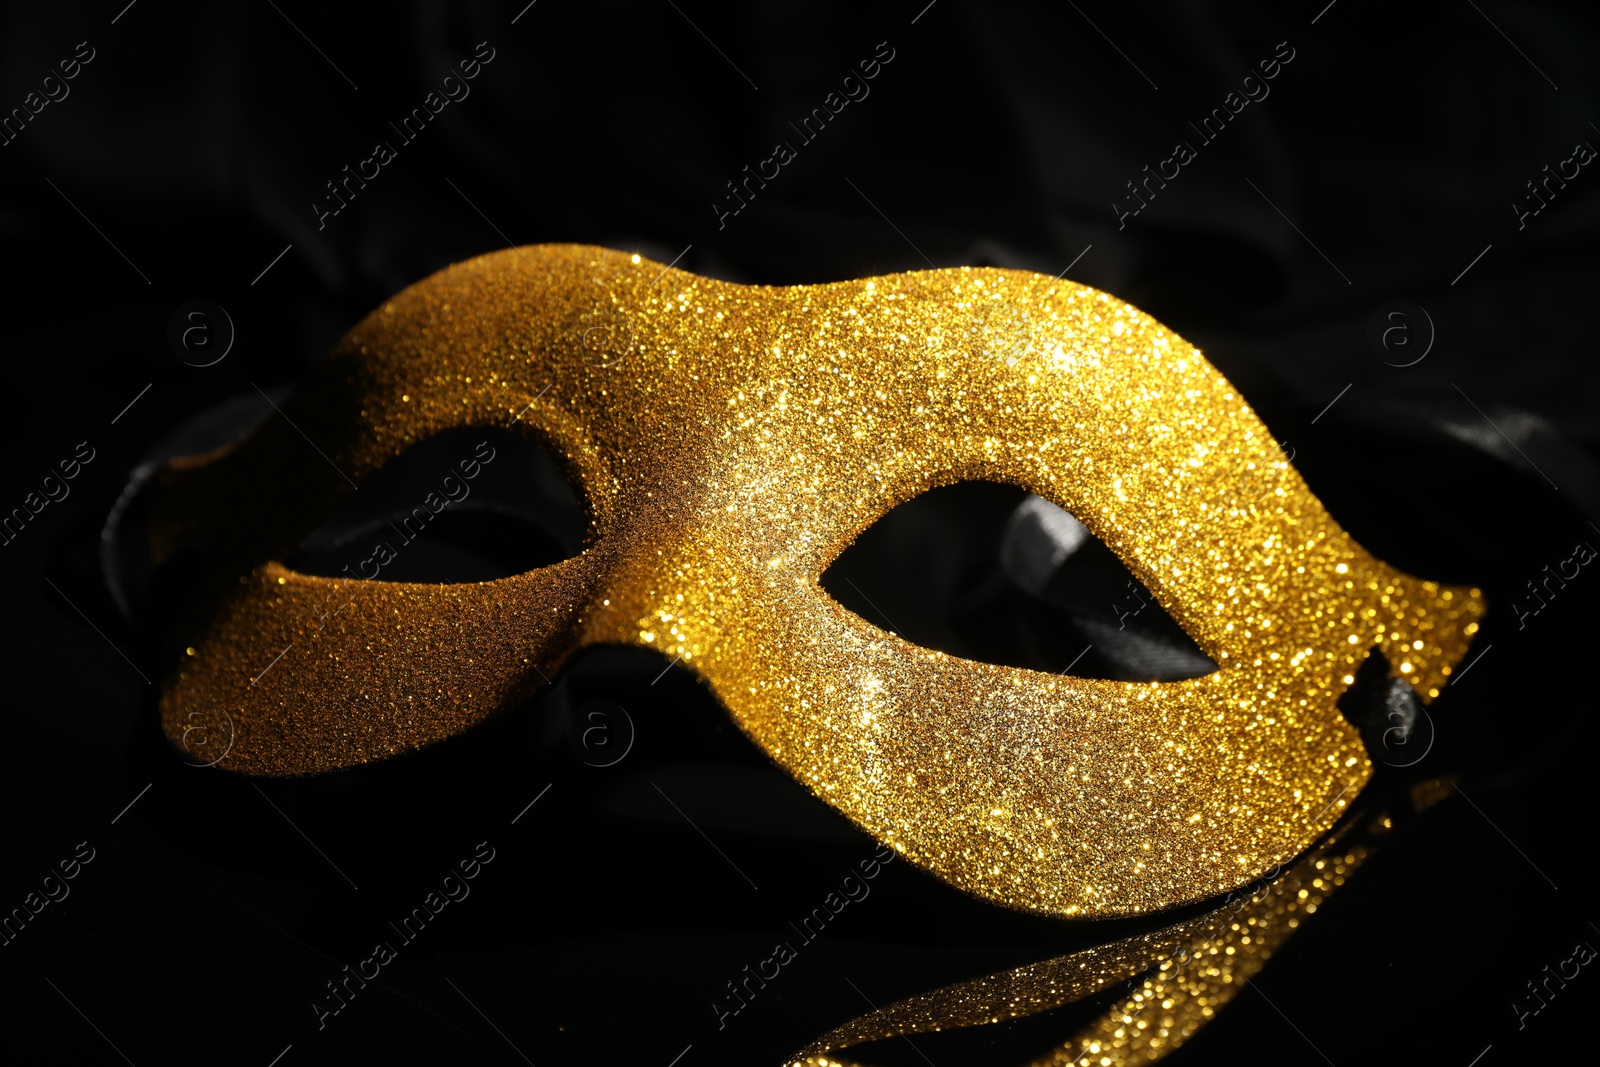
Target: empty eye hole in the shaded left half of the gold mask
<point>470,505</point>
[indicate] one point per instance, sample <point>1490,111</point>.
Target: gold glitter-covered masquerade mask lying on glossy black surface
<point>730,442</point>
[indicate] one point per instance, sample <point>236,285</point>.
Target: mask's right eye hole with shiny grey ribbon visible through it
<point>993,573</point>
